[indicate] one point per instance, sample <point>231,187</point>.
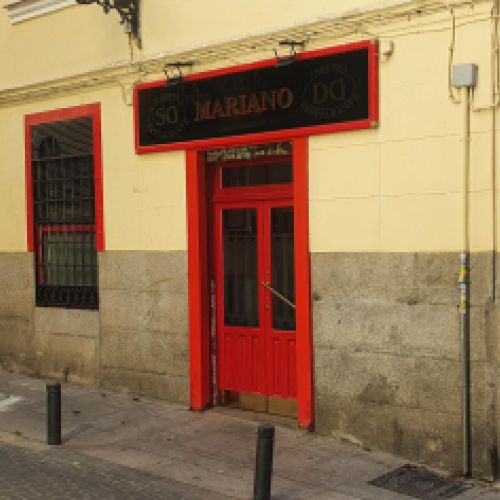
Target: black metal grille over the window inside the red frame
<point>64,213</point>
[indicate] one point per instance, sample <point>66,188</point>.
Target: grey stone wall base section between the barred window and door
<point>144,328</point>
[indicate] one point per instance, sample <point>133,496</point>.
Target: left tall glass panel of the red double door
<point>240,267</point>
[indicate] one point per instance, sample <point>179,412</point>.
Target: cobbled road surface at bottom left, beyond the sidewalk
<point>61,473</point>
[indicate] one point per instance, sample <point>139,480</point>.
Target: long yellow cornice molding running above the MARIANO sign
<point>343,28</point>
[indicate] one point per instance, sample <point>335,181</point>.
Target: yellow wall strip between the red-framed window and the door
<point>144,196</point>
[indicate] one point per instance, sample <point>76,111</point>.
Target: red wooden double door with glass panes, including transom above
<point>254,275</point>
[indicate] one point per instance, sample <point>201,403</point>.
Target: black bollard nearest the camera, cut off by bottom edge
<point>264,462</point>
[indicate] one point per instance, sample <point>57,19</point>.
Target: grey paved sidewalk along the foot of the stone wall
<point>211,452</point>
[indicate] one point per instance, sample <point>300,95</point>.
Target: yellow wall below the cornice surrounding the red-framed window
<point>144,196</point>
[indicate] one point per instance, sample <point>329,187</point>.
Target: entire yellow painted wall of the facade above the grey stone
<point>394,189</point>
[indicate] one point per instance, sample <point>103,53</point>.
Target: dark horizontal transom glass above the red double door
<point>256,175</point>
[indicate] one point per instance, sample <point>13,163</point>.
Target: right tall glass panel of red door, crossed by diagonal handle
<point>282,267</point>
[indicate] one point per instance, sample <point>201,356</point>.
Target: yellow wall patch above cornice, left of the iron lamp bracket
<point>61,43</point>
